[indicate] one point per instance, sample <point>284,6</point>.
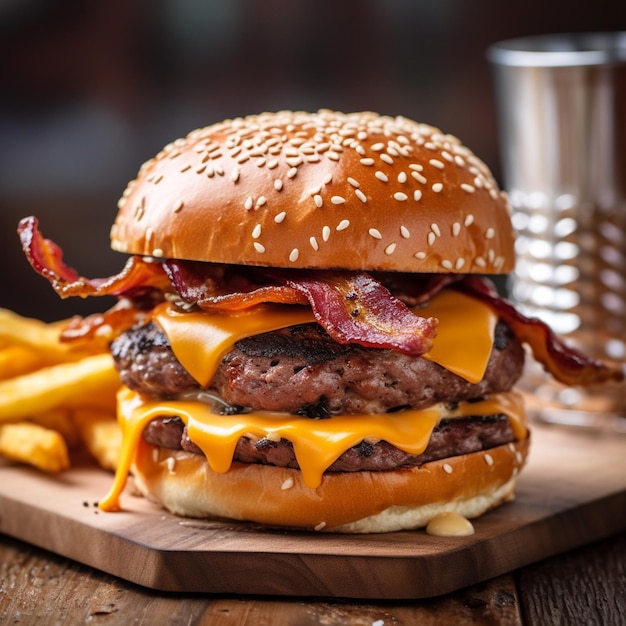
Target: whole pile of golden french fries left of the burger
<point>54,396</point>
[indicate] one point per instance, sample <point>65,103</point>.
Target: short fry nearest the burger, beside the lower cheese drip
<point>101,435</point>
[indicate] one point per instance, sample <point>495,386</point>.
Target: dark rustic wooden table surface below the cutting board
<point>584,587</point>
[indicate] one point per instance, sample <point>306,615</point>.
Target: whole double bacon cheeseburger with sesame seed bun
<point>305,332</point>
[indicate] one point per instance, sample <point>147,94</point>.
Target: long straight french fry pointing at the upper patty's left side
<point>65,384</point>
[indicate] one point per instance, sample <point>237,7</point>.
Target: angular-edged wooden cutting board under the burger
<point>572,492</point>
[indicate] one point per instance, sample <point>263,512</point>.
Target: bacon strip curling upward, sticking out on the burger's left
<point>46,259</point>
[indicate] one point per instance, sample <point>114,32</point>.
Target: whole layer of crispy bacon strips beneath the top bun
<point>353,307</point>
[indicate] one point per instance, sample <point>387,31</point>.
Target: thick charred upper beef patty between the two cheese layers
<point>301,370</point>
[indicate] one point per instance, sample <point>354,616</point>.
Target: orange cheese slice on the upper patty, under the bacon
<point>200,340</point>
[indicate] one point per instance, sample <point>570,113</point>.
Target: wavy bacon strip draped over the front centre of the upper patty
<point>351,307</point>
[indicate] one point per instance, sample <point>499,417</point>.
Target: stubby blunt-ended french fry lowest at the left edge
<point>33,444</point>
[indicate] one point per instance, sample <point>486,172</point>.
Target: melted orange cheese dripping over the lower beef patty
<point>317,443</point>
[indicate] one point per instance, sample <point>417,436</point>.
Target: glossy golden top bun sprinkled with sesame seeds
<point>325,190</point>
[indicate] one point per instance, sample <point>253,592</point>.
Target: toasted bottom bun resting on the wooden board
<point>349,502</point>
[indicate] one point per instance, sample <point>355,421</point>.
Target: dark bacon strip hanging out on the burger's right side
<point>565,363</point>
